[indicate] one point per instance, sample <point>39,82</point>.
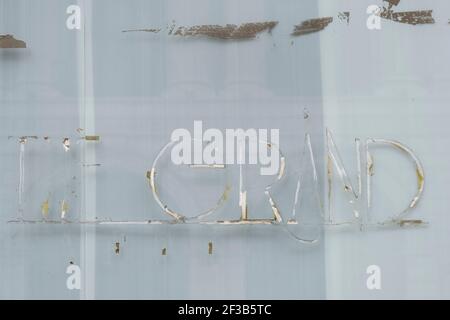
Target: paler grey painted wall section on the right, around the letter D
<point>390,83</point>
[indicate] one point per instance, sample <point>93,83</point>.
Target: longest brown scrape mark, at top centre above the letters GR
<point>228,32</point>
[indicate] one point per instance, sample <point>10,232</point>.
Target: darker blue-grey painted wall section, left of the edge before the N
<point>134,89</point>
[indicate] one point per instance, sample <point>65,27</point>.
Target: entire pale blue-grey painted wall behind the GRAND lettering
<point>135,88</point>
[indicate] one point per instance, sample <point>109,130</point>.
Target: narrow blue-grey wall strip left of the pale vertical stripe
<point>39,96</point>
